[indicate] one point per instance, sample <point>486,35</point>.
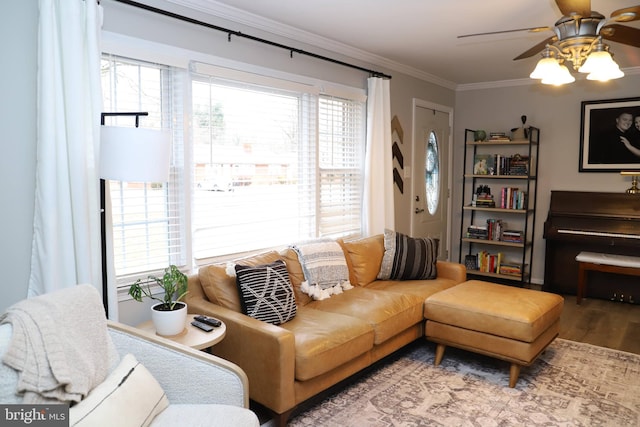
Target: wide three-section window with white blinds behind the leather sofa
<point>263,163</point>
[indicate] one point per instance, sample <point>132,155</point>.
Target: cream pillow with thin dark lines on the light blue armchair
<point>130,396</point>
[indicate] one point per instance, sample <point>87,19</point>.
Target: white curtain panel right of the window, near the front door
<point>378,209</point>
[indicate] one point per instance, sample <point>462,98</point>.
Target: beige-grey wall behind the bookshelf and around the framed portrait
<point>556,111</point>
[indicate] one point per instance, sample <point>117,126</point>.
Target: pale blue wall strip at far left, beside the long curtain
<point>18,31</point>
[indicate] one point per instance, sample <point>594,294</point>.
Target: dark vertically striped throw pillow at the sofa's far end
<point>408,258</point>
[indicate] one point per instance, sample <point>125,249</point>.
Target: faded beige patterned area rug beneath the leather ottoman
<point>571,384</point>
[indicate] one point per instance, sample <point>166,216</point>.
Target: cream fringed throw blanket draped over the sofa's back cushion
<point>325,269</point>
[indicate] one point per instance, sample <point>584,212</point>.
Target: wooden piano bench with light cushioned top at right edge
<point>606,263</point>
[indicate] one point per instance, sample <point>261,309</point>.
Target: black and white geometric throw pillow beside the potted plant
<point>266,293</point>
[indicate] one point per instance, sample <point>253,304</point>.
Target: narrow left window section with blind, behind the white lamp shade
<point>147,218</point>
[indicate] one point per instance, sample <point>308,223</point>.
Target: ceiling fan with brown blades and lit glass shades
<point>578,35</point>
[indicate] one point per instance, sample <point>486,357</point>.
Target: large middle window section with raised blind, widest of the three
<point>254,150</point>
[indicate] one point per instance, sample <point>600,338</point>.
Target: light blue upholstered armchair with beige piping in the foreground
<point>201,389</point>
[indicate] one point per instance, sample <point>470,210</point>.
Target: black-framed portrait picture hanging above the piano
<point>610,135</point>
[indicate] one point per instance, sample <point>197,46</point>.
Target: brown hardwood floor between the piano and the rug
<point>601,322</point>
